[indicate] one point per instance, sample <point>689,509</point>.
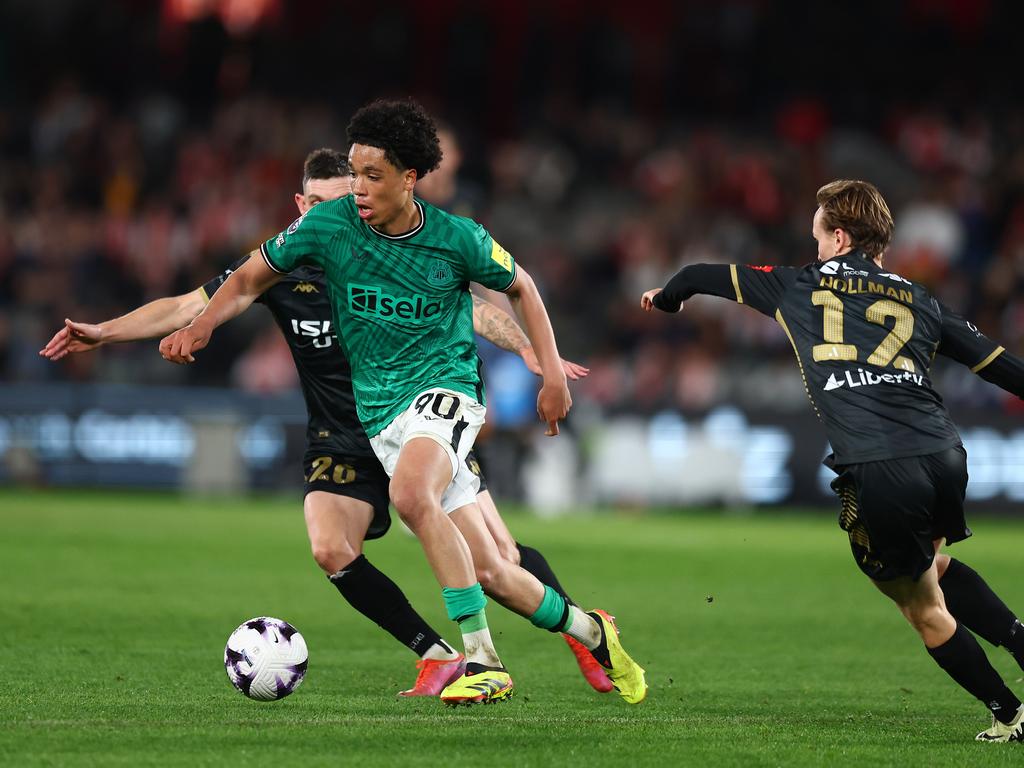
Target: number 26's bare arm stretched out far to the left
<point>150,321</point>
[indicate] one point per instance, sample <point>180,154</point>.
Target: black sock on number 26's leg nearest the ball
<point>380,601</point>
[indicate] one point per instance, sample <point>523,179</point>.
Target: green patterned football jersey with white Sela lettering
<point>403,311</point>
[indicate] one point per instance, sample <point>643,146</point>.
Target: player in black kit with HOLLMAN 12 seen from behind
<point>865,340</point>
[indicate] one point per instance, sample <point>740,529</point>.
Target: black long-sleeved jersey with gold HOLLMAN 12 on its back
<point>865,340</point>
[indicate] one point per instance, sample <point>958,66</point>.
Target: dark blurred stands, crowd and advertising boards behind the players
<point>145,146</point>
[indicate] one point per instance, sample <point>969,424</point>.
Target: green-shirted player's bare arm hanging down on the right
<point>554,401</point>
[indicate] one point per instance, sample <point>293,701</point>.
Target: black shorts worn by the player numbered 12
<point>894,509</point>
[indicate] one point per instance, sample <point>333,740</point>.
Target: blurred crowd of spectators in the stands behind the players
<point>108,203</point>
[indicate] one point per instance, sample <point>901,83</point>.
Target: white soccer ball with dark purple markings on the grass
<point>266,659</point>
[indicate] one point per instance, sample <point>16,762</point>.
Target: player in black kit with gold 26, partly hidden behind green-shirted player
<point>347,489</point>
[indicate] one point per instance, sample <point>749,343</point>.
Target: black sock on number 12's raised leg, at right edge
<point>974,605</point>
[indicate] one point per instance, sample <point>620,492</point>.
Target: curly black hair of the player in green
<point>403,130</point>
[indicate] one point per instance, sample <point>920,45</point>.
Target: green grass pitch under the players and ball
<point>764,646</point>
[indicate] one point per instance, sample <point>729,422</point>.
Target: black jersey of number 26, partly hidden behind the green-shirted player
<point>302,309</point>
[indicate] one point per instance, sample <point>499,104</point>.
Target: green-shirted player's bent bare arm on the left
<point>240,290</point>
